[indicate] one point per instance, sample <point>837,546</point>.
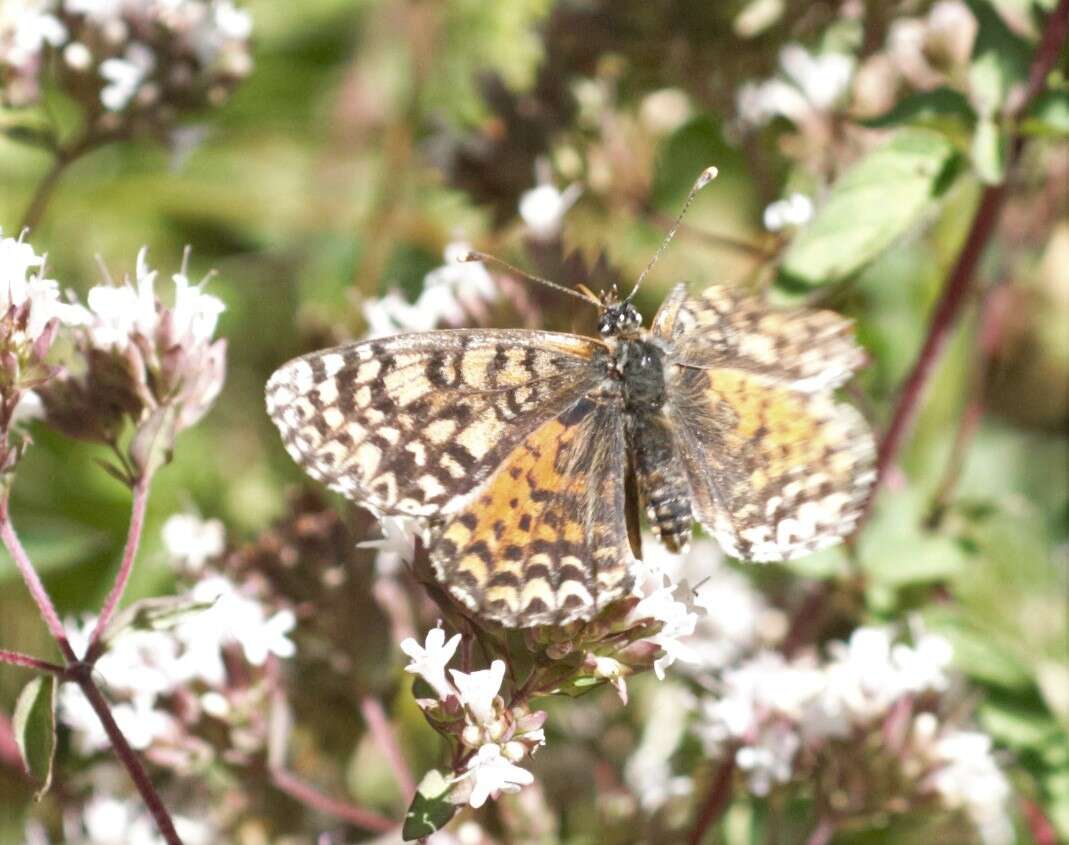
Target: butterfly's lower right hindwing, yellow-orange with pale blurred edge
<point>776,473</point>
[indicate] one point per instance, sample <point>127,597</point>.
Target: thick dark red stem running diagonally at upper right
<point>959,283</point>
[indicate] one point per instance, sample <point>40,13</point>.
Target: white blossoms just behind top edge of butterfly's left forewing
<point>453,295</point>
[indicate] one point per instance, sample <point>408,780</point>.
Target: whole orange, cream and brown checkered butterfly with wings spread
<point>529,454</point>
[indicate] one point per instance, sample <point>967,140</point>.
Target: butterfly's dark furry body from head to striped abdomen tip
<point>639,363</point>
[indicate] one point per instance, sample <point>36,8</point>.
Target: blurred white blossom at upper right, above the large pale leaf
<point>809,88</point>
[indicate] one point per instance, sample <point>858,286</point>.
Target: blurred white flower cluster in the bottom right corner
<point>769,709</point>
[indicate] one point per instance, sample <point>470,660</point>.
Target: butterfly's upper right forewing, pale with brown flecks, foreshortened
<point>811,351</point>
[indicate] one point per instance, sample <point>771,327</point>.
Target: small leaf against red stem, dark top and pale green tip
<point>1000,60</point>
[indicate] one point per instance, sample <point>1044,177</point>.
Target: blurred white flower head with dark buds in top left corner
<point>138,53</point>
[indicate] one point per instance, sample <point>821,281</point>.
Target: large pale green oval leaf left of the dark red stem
<point>875,203</point>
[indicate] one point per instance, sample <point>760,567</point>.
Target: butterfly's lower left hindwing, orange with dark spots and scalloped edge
<point>545,543</point>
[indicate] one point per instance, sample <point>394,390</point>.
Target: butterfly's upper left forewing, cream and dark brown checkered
<point>412,424</point>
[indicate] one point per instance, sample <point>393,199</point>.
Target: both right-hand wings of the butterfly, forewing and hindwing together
<point>778,468</point>
